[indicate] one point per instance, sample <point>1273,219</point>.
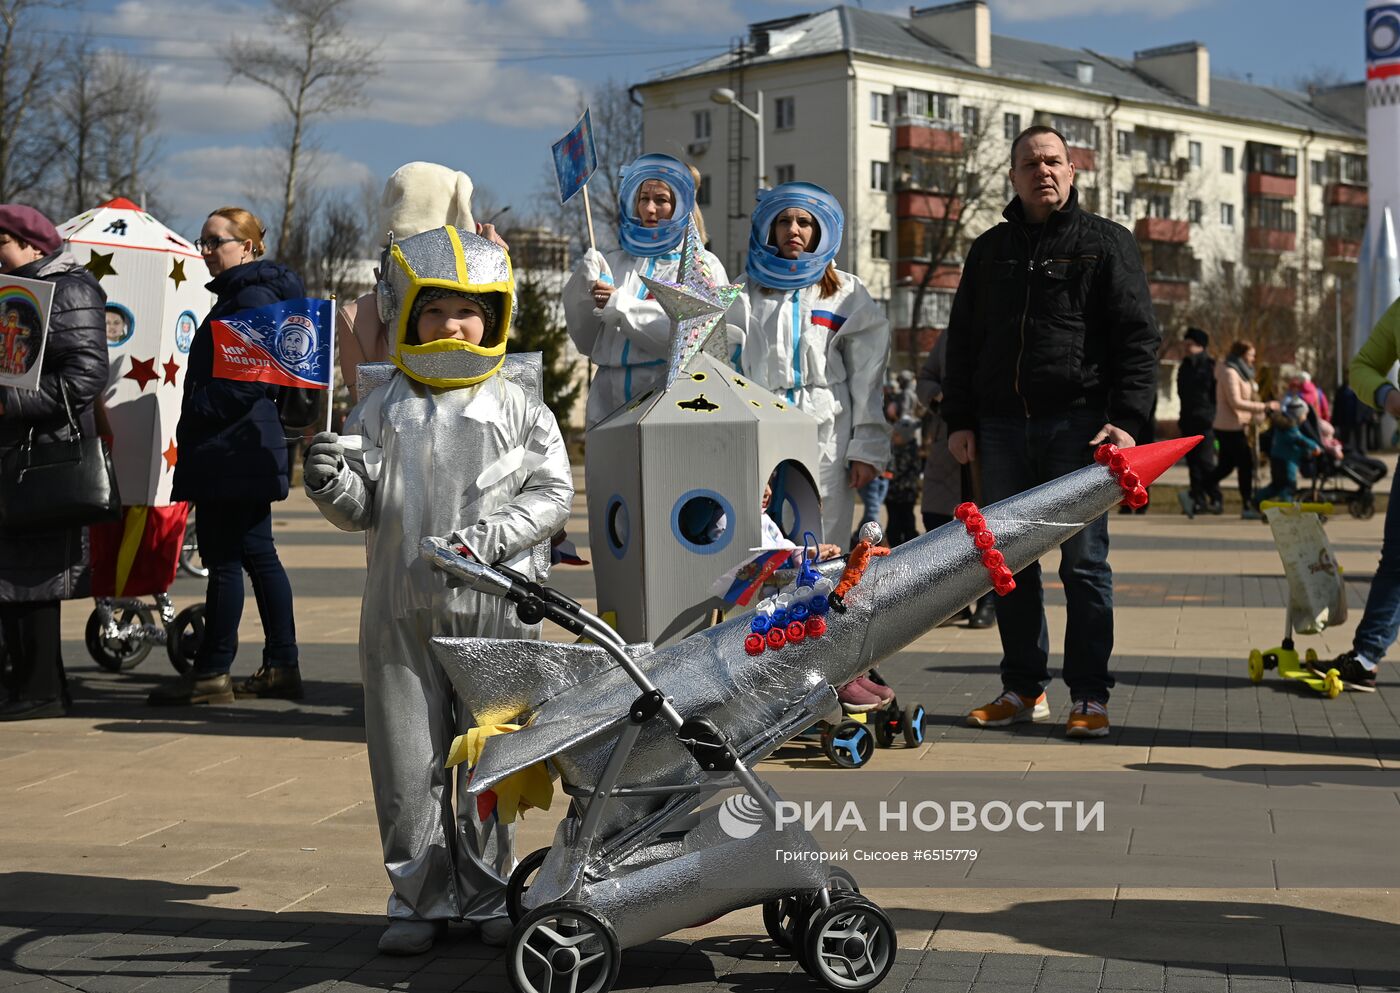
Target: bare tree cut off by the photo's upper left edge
<point>26,139</point>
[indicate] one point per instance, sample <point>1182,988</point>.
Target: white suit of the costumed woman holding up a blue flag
<point>631,338</point>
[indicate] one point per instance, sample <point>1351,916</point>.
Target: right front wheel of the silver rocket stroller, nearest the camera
<point>849,946</point>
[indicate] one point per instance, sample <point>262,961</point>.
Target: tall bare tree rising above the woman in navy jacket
<point>318,71</point>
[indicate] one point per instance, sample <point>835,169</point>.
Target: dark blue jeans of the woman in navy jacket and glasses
<point>236,537</point>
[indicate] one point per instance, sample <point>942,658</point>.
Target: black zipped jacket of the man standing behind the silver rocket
<point>1051,319</point>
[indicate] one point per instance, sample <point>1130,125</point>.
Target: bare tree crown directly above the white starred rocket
<point>104,123</point>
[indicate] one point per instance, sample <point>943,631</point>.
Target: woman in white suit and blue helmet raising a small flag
<point>611,314</point>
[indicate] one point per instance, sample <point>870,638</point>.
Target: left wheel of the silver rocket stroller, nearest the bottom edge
<point>566,947</point>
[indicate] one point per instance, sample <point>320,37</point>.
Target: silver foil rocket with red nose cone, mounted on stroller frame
<point>737,691</point>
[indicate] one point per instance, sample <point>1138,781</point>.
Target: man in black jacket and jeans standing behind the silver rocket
<point>1052,352</point>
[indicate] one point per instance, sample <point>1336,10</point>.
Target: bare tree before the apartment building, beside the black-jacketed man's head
<point>957,179</point>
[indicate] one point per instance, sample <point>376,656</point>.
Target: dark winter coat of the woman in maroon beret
<point>54,565</point>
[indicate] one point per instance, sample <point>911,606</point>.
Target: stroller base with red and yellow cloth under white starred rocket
<point>135,558</point>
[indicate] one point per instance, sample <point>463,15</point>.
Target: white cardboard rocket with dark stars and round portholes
<point>156,298</point>
